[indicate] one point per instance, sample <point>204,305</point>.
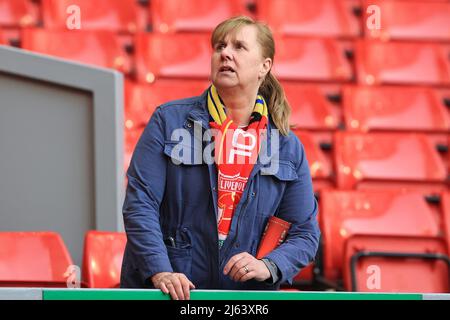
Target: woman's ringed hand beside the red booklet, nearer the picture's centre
<point>243,266</point>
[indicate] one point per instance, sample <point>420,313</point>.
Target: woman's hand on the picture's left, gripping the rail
<point>175,284</point>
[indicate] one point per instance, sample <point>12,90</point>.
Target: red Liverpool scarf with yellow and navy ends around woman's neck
<point>236,151</point>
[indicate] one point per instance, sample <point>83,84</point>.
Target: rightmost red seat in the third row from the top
<point>394,109</point>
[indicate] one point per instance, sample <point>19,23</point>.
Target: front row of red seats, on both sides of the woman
<point>401,234</point>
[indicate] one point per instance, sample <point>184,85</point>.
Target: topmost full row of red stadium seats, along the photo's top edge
<point>412,20</point>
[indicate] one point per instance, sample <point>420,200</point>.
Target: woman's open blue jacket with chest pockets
<point>175,198</point>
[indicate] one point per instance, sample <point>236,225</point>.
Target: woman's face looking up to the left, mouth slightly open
<point>237,61</point>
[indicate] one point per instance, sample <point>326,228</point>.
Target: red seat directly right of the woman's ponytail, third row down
<point>310,107</point>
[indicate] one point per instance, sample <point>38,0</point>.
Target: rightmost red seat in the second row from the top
<point>402,63</point>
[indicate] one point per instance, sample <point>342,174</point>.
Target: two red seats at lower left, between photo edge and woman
<point>41,259</point>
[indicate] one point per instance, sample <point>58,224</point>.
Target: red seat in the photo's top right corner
<point>412,20</point>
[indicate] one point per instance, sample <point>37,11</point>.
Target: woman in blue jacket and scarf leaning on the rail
<point>198,225</point>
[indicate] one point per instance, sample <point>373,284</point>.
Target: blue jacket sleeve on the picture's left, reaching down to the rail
<point>146,183</point>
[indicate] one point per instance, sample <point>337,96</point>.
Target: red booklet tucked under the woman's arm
<point>274,235</point>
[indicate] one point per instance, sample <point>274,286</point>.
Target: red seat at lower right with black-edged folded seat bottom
<point>401,234</point>
